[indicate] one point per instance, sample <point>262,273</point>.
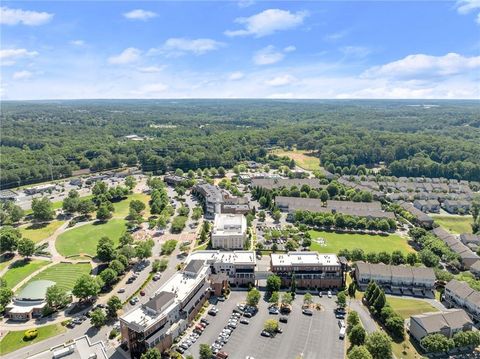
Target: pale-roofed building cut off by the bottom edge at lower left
<point>80,348</point>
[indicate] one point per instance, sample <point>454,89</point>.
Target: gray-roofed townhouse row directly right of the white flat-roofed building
<point>418,281</point>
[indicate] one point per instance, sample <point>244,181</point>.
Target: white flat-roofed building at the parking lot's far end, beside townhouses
<point>310,269</point>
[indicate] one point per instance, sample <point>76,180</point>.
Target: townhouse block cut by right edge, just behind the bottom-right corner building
<point>460,295</point>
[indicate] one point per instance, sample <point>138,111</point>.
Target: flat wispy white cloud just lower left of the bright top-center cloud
<point>180,46</point>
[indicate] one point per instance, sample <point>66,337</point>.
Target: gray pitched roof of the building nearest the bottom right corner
<point>434,322</point>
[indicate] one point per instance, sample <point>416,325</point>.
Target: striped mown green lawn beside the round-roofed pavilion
<point>64,274</point>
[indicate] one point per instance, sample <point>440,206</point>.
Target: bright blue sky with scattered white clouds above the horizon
<point>240,49</point>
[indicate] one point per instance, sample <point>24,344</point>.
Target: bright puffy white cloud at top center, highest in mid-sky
<point>268,22</point>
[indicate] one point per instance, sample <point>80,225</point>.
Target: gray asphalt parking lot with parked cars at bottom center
<point>303,336</point>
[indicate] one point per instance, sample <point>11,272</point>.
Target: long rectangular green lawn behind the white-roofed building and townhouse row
<point>334,242</point>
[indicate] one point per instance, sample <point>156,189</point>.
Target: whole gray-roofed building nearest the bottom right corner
<point>447,323</point>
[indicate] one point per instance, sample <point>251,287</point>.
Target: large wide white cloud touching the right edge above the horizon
<point>421,66</point>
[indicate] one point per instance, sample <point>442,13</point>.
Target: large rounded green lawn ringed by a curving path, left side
<point>84,239</point>
